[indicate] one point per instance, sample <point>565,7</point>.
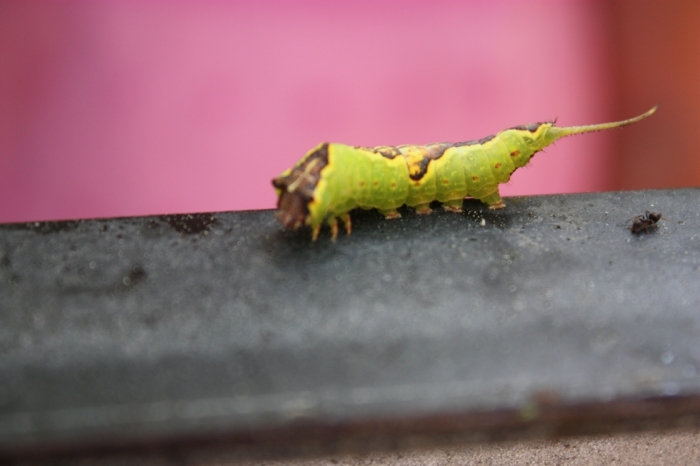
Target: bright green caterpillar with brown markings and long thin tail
<point>332,179</point>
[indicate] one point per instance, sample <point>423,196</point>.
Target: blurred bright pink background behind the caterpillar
<point>135,108</point>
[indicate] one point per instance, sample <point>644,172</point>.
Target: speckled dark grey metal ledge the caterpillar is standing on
<point>154,330</point>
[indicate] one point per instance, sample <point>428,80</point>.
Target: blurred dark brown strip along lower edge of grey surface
<point>545,418</point>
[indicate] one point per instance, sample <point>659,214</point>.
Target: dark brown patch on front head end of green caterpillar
<point>297,188</point>
